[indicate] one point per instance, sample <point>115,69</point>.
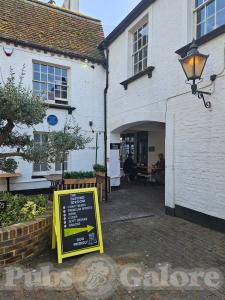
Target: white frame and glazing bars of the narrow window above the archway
<point>141,49</point>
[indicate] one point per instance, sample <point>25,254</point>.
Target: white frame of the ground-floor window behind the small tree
<point>53,167</point>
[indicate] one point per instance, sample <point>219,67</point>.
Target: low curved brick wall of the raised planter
<point>22,241</point>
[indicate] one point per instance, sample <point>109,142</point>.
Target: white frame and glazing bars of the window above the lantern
<point>198,8</point>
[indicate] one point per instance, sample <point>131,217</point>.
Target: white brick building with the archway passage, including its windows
<point>147,93</point>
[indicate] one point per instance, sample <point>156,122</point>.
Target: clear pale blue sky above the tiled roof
<point>110,12</point>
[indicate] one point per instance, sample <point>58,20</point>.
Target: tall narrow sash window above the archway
<point>140,49</point>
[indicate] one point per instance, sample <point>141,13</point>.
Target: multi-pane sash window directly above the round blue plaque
<point>50,82</point>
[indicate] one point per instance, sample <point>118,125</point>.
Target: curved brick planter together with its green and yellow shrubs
<point>31,234</point>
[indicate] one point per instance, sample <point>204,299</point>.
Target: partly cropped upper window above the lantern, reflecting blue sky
<point>210,14</point>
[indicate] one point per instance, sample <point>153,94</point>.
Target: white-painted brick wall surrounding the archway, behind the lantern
<point>195,137</point>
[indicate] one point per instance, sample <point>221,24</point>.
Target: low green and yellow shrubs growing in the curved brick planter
<point>21,208</point>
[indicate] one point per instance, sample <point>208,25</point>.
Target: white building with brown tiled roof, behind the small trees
<point>59,49</point>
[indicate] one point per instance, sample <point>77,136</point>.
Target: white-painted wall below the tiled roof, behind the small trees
<point>86,94</point>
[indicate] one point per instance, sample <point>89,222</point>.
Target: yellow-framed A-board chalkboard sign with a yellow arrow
<point>76,223</point>
